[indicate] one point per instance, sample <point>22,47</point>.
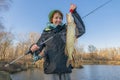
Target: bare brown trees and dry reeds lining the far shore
<point>10,49</point>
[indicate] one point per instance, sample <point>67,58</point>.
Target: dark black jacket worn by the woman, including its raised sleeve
<point>55,58</point>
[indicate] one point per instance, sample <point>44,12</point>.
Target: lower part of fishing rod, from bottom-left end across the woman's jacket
<point>28,52</point>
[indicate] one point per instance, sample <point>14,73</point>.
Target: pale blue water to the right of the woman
<point>99,72</point>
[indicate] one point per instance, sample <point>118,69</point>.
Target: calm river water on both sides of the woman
<point>89,72</point>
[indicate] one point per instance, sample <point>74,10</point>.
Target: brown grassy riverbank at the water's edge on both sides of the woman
<point>17,67</point>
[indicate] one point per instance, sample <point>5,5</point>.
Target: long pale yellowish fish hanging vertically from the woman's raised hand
<point>70,39</point>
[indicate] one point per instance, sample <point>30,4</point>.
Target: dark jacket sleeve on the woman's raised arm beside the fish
<point>80,27</point>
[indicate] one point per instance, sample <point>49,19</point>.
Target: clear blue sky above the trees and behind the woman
<point>102,27</point>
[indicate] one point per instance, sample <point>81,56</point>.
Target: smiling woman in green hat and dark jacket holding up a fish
<point>54,49</point>
